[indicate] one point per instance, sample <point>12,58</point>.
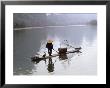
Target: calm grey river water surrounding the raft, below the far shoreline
<point>28,42</point>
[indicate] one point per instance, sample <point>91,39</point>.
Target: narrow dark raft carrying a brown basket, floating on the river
<point>61,52</point>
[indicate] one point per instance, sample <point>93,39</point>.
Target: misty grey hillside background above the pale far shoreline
<point>22,20</point>
